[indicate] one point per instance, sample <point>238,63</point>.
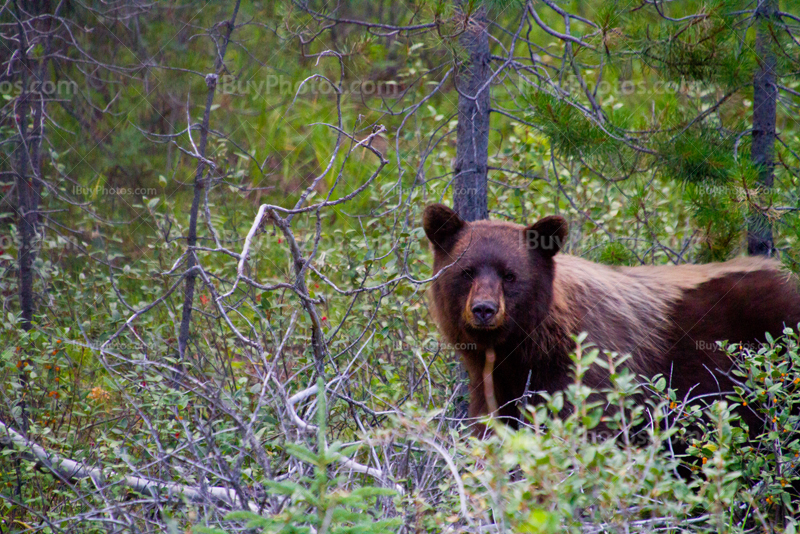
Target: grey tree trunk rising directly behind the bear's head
<point>472,151</point>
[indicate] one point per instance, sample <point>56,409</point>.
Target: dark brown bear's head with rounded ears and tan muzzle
<point>494,279</point>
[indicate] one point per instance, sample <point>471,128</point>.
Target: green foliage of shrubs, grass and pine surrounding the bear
<point>683,199</point>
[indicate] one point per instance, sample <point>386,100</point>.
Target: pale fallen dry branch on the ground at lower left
<point>67,469</point>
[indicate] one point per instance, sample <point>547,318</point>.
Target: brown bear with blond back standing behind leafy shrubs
<point>502,289</point>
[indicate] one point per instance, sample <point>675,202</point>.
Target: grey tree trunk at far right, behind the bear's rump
<point>765,94</point>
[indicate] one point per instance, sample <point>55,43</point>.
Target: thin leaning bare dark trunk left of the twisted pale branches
<point>199,185</point>
